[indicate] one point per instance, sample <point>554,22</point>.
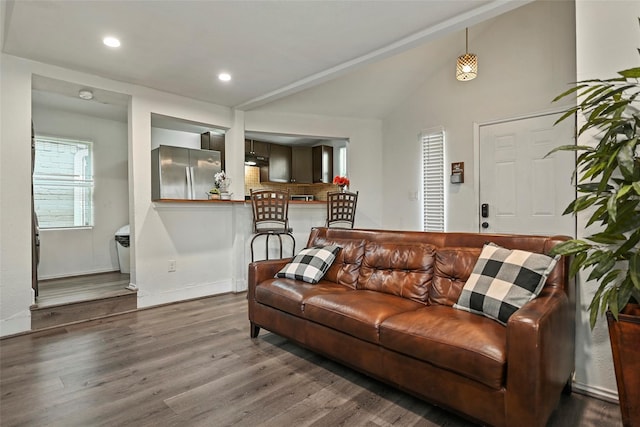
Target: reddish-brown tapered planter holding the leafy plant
<point>625,346</point>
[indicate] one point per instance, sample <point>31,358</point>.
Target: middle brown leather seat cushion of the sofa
<point>358,313</point>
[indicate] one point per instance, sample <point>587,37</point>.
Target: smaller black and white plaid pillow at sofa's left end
<point>310,264</point>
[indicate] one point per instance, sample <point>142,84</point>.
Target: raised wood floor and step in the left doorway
<point>73,299</point>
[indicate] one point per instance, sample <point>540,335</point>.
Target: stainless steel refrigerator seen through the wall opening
<point>183,173</point>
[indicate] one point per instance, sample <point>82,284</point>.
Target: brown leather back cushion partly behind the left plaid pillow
<point>346,268</point>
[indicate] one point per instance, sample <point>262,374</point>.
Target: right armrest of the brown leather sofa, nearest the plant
<point>540,357</point>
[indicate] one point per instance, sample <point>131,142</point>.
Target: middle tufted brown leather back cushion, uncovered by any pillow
<point>404,270</point>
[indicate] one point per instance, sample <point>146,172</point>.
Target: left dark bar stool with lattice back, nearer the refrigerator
<point>271,217</point>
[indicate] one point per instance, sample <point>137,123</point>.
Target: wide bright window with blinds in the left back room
<point>63,183</point>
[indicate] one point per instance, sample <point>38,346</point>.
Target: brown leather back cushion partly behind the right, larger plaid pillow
<point>452,269</point>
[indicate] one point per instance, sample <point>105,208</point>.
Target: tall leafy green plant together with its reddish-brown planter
<point>608,186</point>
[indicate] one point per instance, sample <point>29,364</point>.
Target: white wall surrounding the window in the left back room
<point>73,252</point>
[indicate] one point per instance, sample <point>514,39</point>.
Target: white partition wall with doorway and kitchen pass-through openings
<point>204,240</point>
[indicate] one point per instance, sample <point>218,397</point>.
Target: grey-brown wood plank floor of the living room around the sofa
<point>193,364</point>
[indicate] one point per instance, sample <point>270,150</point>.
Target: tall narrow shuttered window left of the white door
<point>433,180</point>
